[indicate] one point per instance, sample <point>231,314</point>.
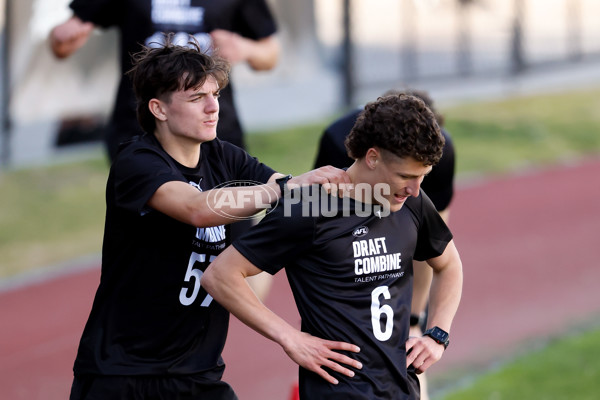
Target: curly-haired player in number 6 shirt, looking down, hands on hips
<point>349,263</point>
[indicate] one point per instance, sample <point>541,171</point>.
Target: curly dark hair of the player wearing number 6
<point>401,124</point>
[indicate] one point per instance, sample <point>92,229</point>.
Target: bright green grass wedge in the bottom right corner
<point>567,369</point>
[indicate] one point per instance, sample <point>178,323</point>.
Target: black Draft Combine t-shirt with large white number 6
<point>351,275</point>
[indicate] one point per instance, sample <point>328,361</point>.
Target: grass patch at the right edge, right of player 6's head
<point>530,131</point>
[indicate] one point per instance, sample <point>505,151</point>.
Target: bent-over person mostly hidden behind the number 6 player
<point>439,186</point>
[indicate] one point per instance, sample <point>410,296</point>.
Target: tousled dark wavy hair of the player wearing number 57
<point>162,68</point>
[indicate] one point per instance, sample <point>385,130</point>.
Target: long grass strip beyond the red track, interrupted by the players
<point>52,214</point>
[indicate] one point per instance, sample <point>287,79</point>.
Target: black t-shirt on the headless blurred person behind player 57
<point>139,21</point>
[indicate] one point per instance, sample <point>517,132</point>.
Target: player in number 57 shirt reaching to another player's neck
<point>153,331</point>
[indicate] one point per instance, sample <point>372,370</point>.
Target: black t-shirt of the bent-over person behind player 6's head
<point>439,184</point>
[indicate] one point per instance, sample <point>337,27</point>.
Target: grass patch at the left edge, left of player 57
<point>49,215</point>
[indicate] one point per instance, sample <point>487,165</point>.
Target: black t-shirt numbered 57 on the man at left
<point>150,315</point>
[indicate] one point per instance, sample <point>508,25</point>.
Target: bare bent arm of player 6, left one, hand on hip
<point>225,281</point>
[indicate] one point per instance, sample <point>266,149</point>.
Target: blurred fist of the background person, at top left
<point>68,37</point>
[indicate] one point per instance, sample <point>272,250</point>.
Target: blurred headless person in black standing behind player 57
<point>237,30</point>
